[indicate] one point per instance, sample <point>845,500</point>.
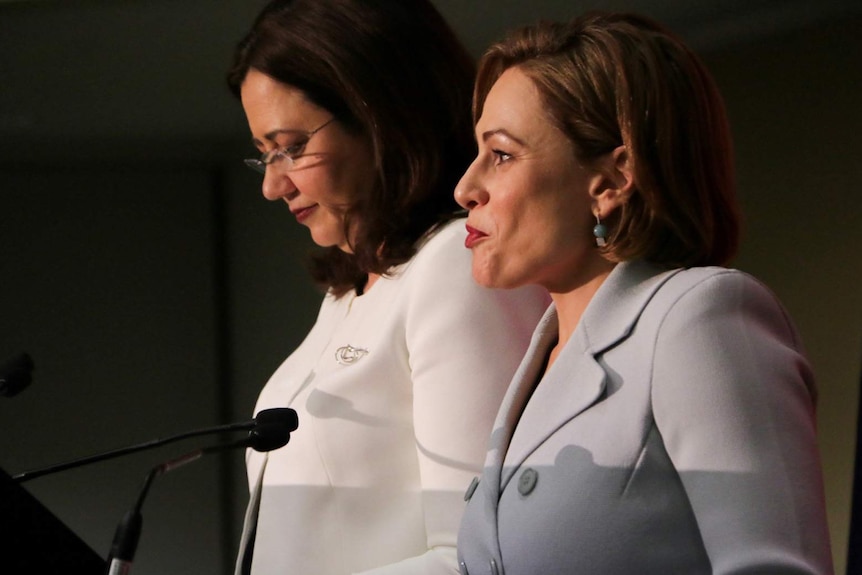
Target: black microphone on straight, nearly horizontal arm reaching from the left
<point>266,425</point>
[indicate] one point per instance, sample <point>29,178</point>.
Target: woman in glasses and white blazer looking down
<point>360,109</point>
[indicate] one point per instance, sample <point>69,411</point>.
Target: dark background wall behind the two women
<point>156,290</point>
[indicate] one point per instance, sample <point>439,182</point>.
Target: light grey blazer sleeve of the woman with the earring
<point>733,397</point>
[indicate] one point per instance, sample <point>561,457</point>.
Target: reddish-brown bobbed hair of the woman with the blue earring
<point>614,79</point>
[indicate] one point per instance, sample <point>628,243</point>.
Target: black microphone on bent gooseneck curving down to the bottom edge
<point>272,431</point>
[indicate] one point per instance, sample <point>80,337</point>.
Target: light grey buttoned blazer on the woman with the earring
<point>675,433</point>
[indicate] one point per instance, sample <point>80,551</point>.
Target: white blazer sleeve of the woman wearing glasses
<point>464,344</point>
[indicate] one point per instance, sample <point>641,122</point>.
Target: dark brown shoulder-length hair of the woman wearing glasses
<point>394,71</point>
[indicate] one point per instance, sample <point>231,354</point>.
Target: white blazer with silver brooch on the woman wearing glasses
<point>396,392</point>
